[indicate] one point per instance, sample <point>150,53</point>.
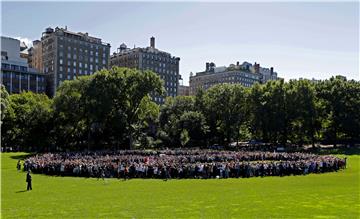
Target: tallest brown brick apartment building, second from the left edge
<point>65,55</point>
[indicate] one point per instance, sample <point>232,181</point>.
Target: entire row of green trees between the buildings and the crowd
<point>113,109</point>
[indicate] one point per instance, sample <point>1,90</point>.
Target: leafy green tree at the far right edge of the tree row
<point>340,101</point>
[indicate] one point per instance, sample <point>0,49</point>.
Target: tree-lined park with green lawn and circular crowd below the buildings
<point>93,121</point>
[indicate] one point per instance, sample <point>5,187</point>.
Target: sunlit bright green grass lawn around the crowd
<point>330,195</point>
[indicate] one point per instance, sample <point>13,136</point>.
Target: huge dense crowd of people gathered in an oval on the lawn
<point>168,164</point>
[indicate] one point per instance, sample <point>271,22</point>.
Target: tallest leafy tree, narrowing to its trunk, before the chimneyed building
<point>133,88</point>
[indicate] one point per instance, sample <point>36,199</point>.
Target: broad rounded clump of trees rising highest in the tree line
<point>106,108</point>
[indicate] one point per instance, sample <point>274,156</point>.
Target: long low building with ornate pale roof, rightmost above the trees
<point>245,74</point>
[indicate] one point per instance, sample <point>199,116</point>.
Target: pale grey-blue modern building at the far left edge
<point>16,75</point>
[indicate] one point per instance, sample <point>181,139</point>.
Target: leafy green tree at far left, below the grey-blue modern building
<point>27,123</point>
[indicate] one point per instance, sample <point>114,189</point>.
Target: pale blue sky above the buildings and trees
<point>309,40</point>
